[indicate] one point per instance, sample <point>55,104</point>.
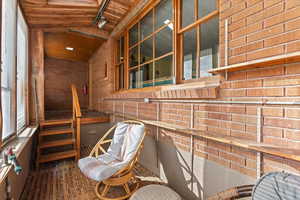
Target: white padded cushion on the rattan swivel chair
<point>122,150</point>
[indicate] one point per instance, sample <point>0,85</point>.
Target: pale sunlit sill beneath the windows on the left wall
<point>18,143</point>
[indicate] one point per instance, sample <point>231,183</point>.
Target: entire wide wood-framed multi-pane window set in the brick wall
<point>152,56</point>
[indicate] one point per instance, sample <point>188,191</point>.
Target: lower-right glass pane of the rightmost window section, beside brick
<point>209,46</point>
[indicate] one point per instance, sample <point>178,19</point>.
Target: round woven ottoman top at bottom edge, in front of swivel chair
<point>155,192</point>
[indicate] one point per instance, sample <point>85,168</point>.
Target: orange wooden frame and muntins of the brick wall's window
<point>177,51</point>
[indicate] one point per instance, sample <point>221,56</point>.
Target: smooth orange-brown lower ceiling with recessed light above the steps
<point>83,46</point>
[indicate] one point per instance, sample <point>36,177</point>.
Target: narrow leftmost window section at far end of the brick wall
<point>120,83</point>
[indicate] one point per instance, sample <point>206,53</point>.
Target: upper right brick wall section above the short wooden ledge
<point>259,28</point>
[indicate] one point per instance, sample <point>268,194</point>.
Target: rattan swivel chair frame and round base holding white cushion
<point>123,176</point>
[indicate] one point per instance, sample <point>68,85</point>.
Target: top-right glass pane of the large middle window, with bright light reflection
<point>163,14</point>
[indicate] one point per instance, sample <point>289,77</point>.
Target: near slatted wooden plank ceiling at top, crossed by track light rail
<point>73,13</point>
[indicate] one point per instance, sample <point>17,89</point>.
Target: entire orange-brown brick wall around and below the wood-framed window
<point>257,29</point>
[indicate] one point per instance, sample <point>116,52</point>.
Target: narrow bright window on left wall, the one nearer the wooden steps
<point>22,66</point>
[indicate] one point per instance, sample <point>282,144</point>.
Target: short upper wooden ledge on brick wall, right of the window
<point>265,62</point>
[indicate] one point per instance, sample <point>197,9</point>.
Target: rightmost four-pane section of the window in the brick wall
<point>200,41</point>
